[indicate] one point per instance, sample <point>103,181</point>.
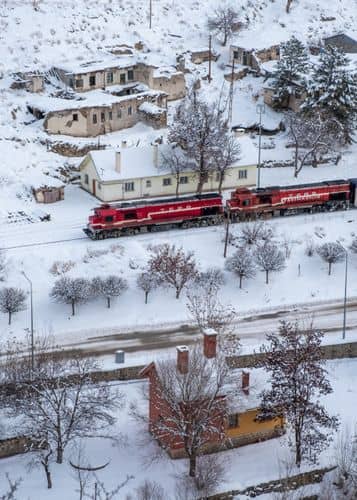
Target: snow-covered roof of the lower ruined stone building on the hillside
<point>93,98</point>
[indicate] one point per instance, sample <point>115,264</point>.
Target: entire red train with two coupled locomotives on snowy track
<point>111,221</point>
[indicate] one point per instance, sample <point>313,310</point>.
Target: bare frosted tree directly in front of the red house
<point>197,414</point>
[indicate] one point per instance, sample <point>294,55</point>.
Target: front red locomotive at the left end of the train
<point>111,221</point>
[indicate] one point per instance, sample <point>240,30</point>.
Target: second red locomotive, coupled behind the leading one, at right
<point>286,200</point>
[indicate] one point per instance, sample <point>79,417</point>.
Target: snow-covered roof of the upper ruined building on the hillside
<point>79,67</point>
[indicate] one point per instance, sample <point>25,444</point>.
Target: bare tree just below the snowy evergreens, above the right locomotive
<point>310,137</point>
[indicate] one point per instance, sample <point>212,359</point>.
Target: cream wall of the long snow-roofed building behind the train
<point>115,191</point>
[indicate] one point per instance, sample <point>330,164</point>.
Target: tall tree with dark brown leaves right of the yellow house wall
<point>298,379</point>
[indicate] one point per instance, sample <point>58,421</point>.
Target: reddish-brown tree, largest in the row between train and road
<point>172,266</point>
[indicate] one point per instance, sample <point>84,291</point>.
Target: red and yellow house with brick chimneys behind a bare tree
<point>243,425</point>
